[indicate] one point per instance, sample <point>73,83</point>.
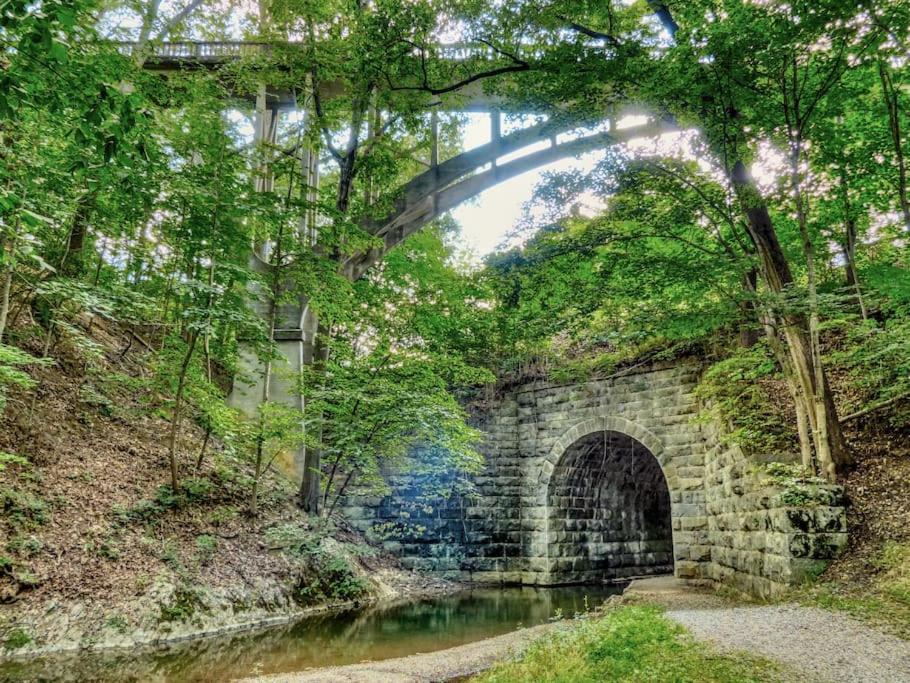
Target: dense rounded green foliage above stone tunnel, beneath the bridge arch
<point>619,285</point>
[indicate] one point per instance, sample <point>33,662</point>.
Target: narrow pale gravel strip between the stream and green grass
<point>444,665</point>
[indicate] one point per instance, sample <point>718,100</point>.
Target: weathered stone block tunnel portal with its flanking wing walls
<point>604,480</point>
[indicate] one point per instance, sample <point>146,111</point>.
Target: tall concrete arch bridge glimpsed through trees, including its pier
<point>444,185</point>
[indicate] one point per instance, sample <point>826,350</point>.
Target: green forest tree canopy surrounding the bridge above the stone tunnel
<point>763,228</point>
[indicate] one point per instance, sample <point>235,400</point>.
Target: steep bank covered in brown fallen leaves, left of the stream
<point>87,515</point>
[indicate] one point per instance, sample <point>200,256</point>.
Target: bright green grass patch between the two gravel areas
<point>633,643</point>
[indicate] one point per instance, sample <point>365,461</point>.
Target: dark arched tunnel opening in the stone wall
<point>608,512</point>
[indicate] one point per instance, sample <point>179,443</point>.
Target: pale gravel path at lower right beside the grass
<point>825,646</point>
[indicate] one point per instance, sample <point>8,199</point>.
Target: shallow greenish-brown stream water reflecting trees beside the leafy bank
<point>372,633</point>
